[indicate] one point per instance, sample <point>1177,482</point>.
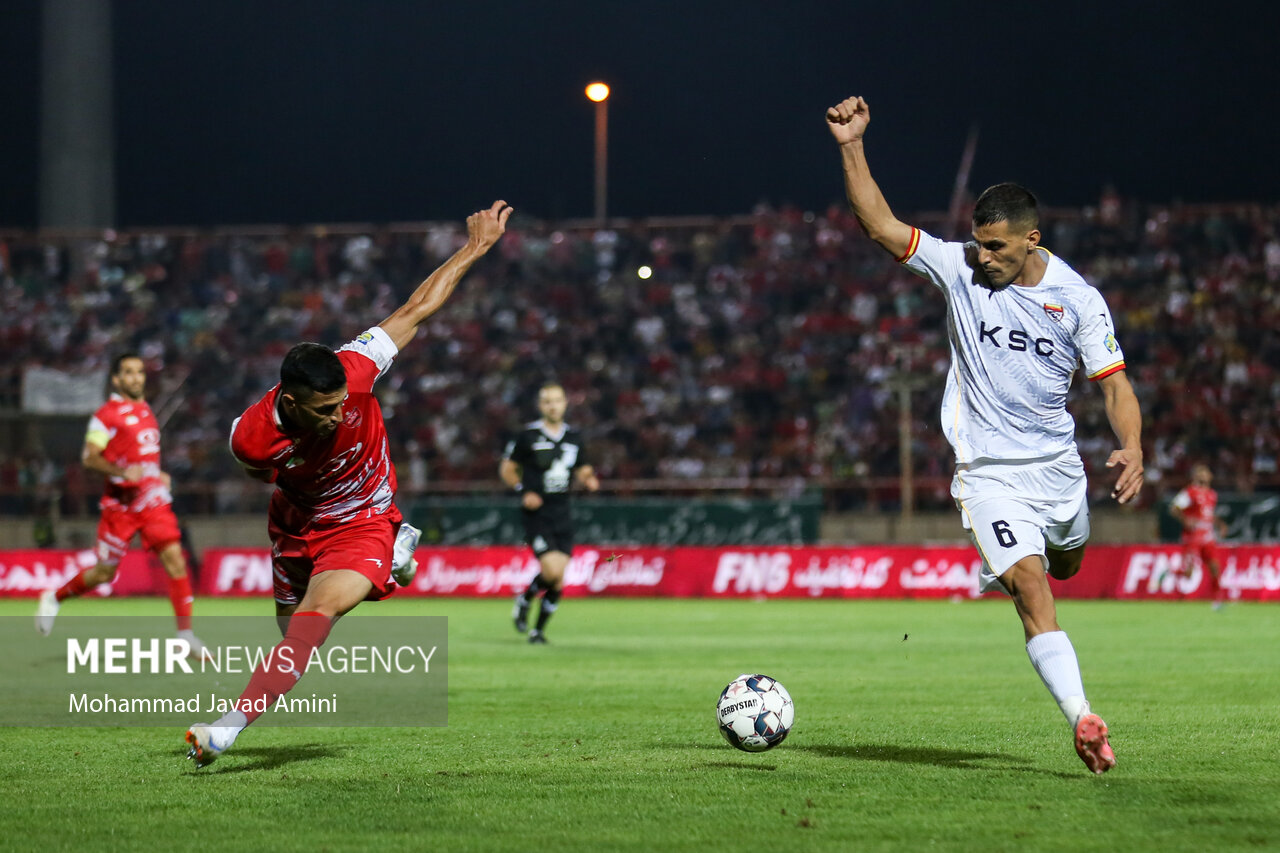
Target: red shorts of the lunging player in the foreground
<point>364,546</point>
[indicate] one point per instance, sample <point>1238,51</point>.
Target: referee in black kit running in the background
<point>541,463</point>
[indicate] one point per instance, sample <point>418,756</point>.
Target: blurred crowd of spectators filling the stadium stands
<point>770,346</point>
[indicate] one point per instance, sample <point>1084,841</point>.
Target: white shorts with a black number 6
<point>1014,510</point>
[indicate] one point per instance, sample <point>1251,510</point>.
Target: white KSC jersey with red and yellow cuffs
<point>1013,353</point>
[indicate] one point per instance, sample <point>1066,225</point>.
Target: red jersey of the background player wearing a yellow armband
<point>127,434</point>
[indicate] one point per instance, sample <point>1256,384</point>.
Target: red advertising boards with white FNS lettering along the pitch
<point>857,572</point>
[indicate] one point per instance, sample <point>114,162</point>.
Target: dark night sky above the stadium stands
<point>291,112</point>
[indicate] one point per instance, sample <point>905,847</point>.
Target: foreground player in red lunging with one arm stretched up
<point>319,436</point>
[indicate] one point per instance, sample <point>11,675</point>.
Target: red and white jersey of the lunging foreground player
<point>327,481</point>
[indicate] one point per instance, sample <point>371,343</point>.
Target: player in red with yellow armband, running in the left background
<point>124,445</point>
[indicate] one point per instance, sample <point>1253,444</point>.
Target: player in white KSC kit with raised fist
<point>1020,321</point>
